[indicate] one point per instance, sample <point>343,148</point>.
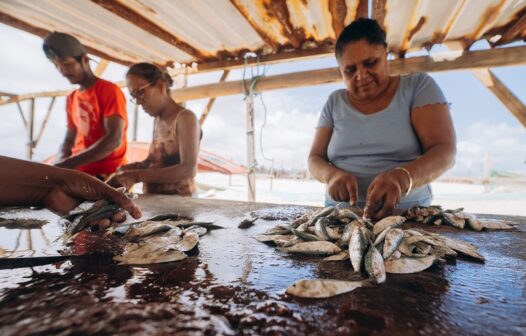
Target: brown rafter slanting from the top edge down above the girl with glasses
<point>135,18</point>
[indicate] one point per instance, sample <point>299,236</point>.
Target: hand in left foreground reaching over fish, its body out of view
<point>75,187</point>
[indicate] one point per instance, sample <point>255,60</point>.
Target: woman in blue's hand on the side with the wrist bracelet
<point>384,194</point>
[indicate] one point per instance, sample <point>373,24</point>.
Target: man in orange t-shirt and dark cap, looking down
<point>95,140</point>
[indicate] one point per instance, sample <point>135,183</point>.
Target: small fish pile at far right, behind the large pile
<point>435,215</point>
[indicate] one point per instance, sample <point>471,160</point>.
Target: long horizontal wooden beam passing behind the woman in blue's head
<point>468,60</point>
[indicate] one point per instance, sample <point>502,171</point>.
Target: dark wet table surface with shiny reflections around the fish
<point>235,284</point>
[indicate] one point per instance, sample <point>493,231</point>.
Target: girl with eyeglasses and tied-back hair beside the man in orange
<point>171,164</point>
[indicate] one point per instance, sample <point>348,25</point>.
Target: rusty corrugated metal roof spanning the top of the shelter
<point>214,33</point>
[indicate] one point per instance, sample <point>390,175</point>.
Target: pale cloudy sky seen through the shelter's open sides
<point>486,130</point>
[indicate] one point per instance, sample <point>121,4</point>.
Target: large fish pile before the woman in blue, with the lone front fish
<point>376,249</point>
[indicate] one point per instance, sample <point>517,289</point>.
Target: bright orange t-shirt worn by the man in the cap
<point>86,111</point>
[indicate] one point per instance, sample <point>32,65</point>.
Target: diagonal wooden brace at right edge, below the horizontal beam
<point>512,103</point>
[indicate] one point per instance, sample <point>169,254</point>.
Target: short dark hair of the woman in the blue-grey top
<point>361,29</point>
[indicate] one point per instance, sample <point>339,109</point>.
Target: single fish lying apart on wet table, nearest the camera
<point>322,288</point>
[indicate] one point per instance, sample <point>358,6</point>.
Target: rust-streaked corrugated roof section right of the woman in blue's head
<point>422,23</point>
